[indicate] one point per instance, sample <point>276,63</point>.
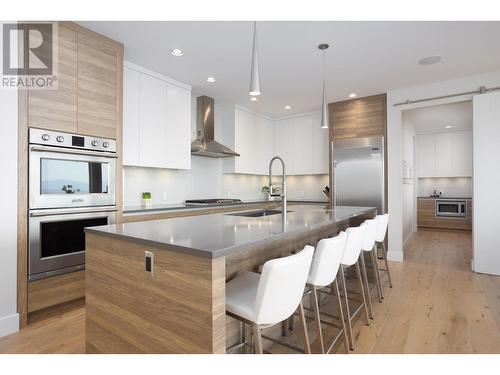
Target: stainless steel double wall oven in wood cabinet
<point>71,186</point>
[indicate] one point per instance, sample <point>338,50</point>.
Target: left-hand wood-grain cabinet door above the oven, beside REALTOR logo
<point>57,108</point>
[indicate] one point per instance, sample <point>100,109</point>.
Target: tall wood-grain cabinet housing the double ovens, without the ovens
<point>88,101</point>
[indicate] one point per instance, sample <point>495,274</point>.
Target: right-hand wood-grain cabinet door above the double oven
<point>97,87</point>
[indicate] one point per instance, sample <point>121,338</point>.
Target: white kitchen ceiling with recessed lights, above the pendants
<point>364,57</point>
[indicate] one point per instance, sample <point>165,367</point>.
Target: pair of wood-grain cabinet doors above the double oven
<point>86,100</point>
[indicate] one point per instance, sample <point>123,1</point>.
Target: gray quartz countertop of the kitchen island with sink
<point>218,235</point>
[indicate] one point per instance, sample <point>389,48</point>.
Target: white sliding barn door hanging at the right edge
<point>486,146</point>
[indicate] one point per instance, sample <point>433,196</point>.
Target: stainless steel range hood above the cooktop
<point>205,144</point>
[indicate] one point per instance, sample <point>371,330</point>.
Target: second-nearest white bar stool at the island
<point>324,268</point>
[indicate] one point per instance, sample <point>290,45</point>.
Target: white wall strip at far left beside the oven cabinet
<point>9,319</point>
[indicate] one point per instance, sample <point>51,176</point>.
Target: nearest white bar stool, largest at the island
<point>271,297</point>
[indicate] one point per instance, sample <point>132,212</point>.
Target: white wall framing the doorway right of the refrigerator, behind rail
<point>394,140</point>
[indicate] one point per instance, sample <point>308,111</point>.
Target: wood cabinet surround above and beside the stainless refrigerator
<point>359,118</point>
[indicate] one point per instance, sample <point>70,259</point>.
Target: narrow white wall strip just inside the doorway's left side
<point>408,150</point>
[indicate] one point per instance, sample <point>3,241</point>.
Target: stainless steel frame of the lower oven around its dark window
<point>39,268</point>
